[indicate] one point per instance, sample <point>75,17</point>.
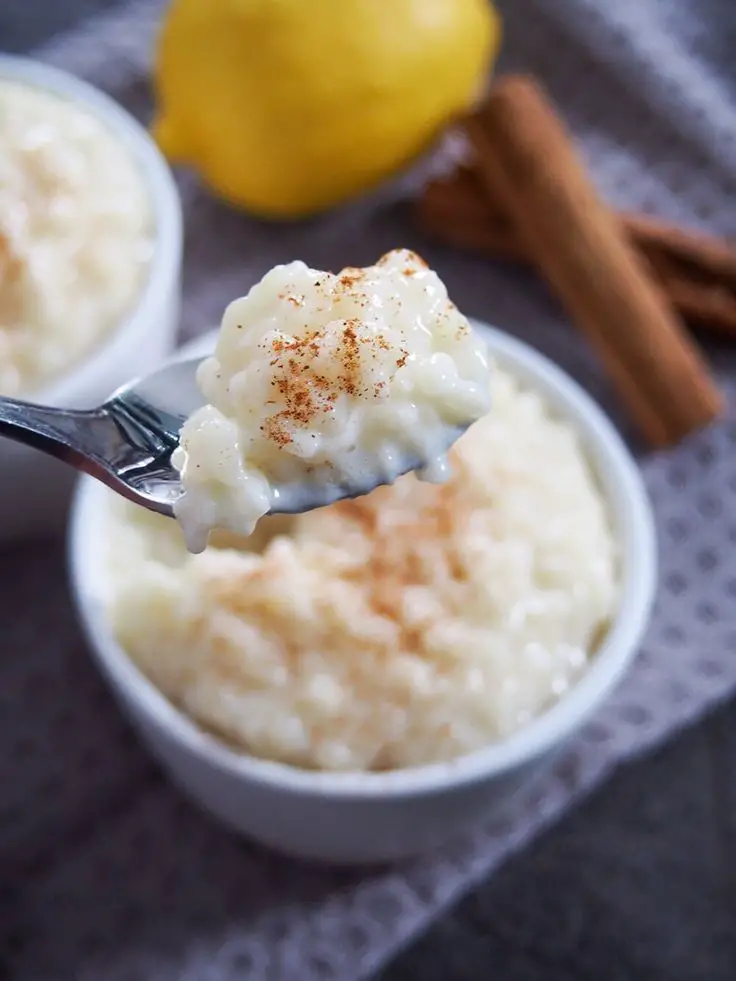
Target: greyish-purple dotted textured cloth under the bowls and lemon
<point>106,873</point>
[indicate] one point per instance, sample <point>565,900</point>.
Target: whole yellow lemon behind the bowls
<point>287,107</point>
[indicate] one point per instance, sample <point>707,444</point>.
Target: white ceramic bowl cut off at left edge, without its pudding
<point>34,489</point>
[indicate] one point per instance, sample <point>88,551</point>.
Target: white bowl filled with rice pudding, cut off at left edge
<point>90,255</point>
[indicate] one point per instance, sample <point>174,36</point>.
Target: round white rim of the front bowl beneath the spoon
<point>624,491</point>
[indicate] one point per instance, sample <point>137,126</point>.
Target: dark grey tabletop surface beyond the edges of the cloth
<point>638,884</point>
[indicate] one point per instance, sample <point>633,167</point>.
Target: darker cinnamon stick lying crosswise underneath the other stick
<point>457,213</point>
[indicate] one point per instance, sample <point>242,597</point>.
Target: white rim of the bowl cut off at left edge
<point>166,211</point>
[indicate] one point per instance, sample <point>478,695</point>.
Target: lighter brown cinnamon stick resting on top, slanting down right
<point>526,159</point>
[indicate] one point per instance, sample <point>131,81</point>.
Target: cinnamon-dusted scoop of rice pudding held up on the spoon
<point>324,386</point>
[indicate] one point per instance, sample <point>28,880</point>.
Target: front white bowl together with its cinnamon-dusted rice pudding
<point>366,681</point>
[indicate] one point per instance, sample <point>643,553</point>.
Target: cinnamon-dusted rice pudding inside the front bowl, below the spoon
<point>413,625</point>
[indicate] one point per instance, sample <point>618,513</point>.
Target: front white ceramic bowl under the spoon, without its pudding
<point>373,817</point>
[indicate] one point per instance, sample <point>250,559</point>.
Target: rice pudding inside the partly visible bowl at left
<point>76,234</point>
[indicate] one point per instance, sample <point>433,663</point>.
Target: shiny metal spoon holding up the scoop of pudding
<point>127,442</point>
